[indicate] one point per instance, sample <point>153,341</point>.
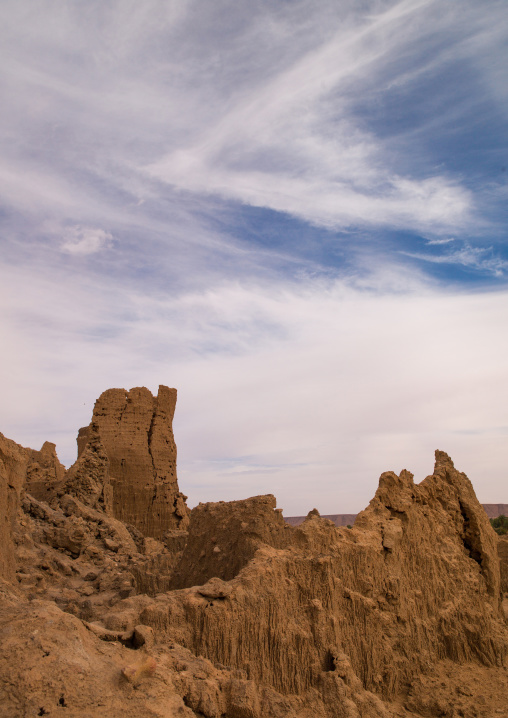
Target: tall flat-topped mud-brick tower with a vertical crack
<point>135,429</point>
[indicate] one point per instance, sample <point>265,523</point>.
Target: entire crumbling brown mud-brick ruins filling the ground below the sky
<point>116,600</point>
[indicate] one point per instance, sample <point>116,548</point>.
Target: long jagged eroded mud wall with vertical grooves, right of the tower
<point>416,581</point>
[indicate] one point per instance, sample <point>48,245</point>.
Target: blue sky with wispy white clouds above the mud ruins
<point>295,213</point>
